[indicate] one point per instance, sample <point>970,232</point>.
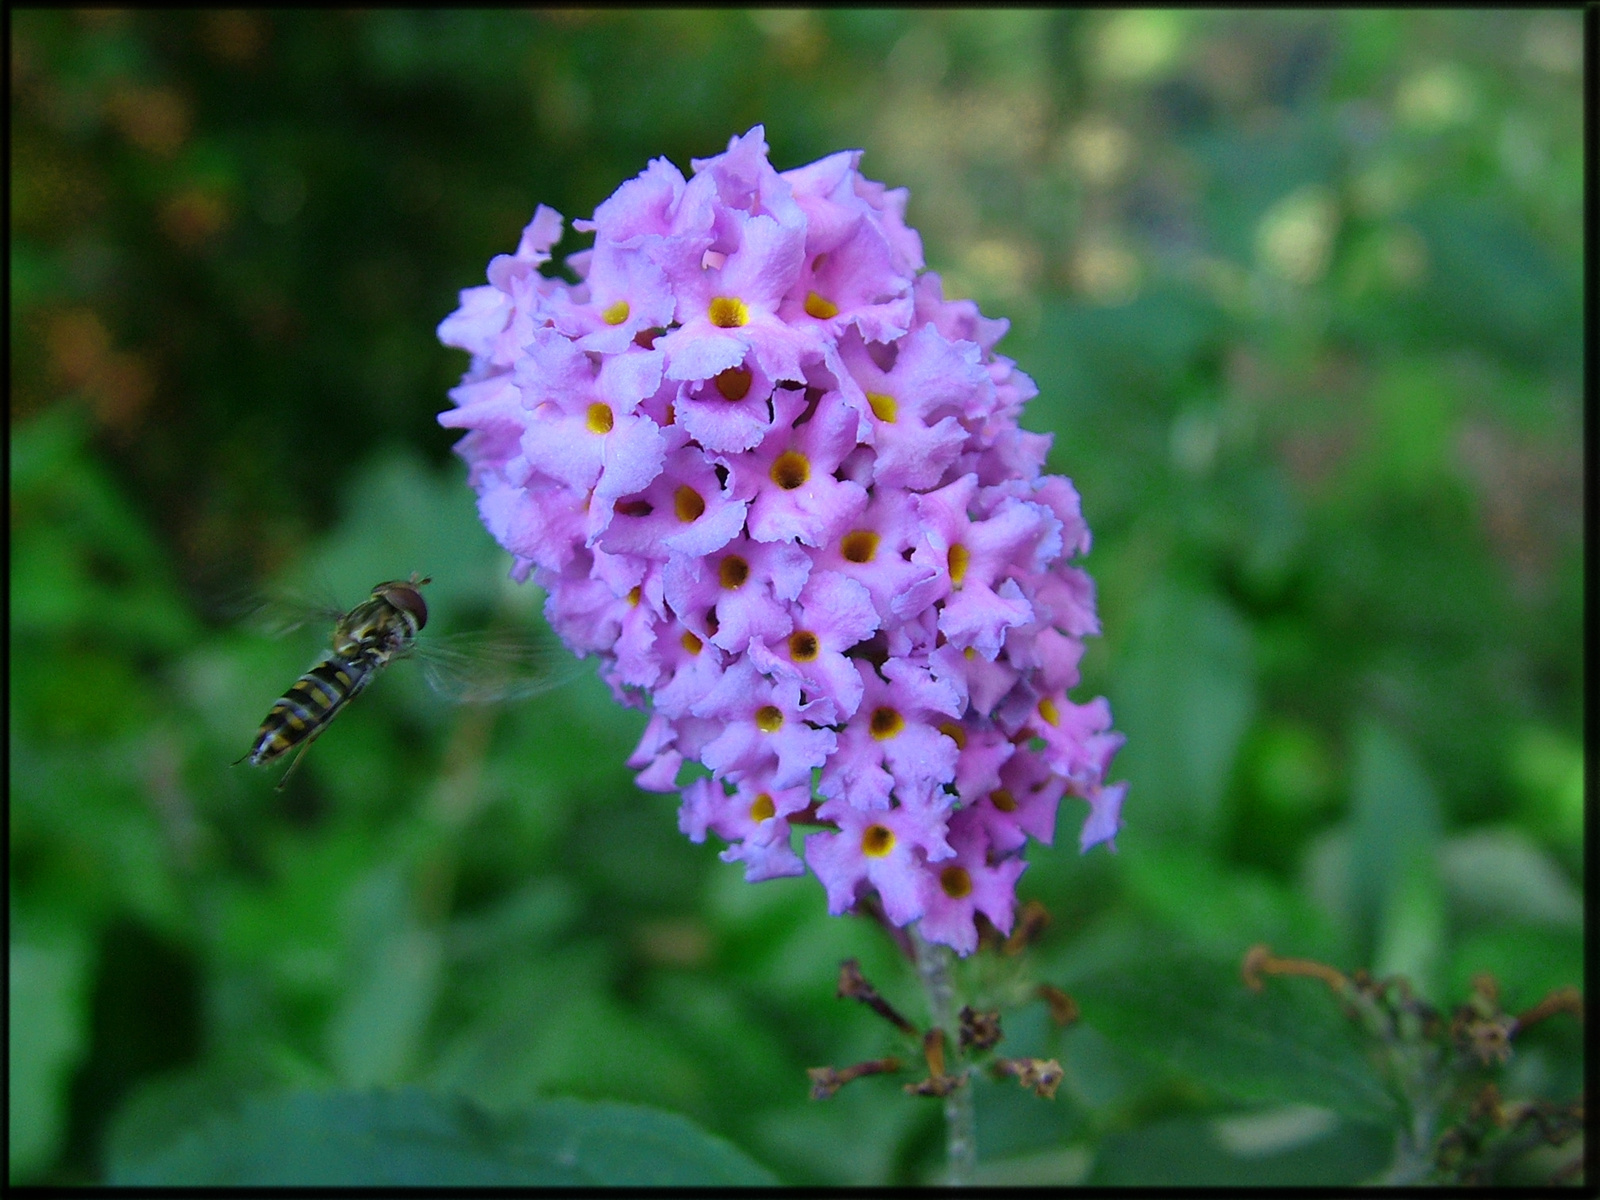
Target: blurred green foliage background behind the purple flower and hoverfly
<point>1303,298</point>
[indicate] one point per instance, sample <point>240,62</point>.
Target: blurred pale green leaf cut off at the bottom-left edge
<point>47,1034</point>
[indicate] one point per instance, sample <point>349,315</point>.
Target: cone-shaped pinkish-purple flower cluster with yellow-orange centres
<point>777,482</point>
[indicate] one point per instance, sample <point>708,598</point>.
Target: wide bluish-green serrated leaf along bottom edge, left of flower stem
<point>414,1138</point>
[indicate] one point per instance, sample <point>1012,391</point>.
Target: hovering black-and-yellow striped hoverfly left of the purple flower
<point>367,639</point>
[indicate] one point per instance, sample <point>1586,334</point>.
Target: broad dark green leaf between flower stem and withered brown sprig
<point>1287,1044</point>
